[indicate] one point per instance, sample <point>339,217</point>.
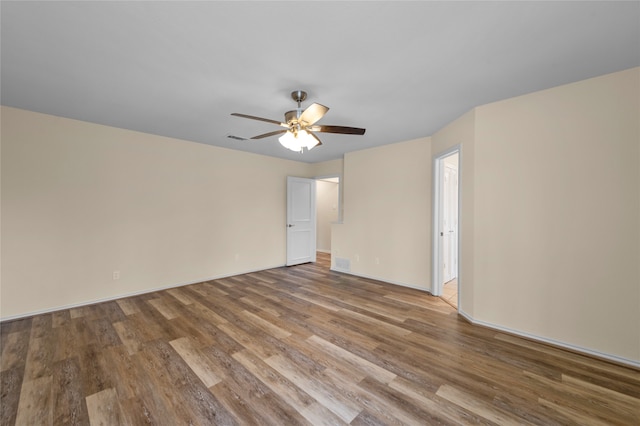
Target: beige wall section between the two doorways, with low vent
<point>386,222</point>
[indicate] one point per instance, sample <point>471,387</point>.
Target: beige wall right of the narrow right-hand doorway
<point>557,208</point>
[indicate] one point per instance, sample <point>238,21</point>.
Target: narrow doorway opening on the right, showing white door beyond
<point>446,226</point>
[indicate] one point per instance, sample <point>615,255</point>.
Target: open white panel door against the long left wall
<point>301,220</point>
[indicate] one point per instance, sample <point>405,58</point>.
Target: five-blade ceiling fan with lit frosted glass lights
<point>299,125</point>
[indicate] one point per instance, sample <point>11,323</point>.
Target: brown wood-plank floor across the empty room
<point>299,345</point>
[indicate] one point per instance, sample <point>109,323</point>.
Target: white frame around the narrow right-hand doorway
<point>437,203</point>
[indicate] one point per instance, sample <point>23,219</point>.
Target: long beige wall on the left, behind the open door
<point>80,201</point>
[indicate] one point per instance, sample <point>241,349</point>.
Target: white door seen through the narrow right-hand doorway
<point>450,224</point>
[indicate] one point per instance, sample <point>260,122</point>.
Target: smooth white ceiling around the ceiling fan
<point>402,70</point>
